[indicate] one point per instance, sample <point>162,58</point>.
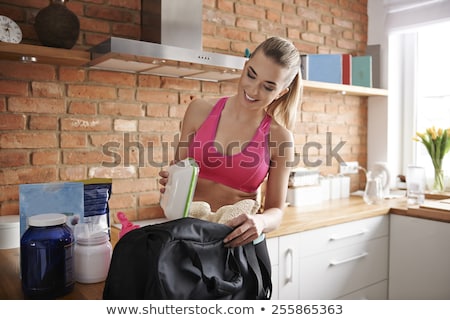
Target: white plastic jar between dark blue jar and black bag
<point>92,258</point>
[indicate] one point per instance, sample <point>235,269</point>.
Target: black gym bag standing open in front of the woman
<point>186,259</point>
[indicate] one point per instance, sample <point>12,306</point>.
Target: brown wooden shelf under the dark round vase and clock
<point>41,54</point>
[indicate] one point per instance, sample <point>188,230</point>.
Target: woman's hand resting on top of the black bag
<point>246,229</point>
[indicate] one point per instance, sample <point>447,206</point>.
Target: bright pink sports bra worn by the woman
<point>243,171</point>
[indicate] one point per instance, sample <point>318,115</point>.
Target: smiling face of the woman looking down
<point>262,81</point>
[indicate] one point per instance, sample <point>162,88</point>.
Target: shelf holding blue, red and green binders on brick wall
<point>343,89</point>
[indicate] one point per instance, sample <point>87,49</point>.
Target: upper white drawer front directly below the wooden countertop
<point>333,237</point>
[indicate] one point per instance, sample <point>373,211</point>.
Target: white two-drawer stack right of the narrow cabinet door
<point>338,260</point>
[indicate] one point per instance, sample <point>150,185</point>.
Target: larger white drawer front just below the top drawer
<point>344,270</point>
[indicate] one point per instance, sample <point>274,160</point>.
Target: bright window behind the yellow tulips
<point>419,71</point>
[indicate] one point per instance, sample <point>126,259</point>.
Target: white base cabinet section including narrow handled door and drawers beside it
<point>347,261</point>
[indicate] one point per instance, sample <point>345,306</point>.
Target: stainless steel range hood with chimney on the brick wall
<point>171,46</point>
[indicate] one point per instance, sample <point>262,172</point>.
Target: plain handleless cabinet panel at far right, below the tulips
<point>419,259</point>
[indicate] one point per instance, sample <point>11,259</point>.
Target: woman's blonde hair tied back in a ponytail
<point>284,53</point>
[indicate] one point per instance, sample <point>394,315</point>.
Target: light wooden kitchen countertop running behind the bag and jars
<point>296,219</point>
